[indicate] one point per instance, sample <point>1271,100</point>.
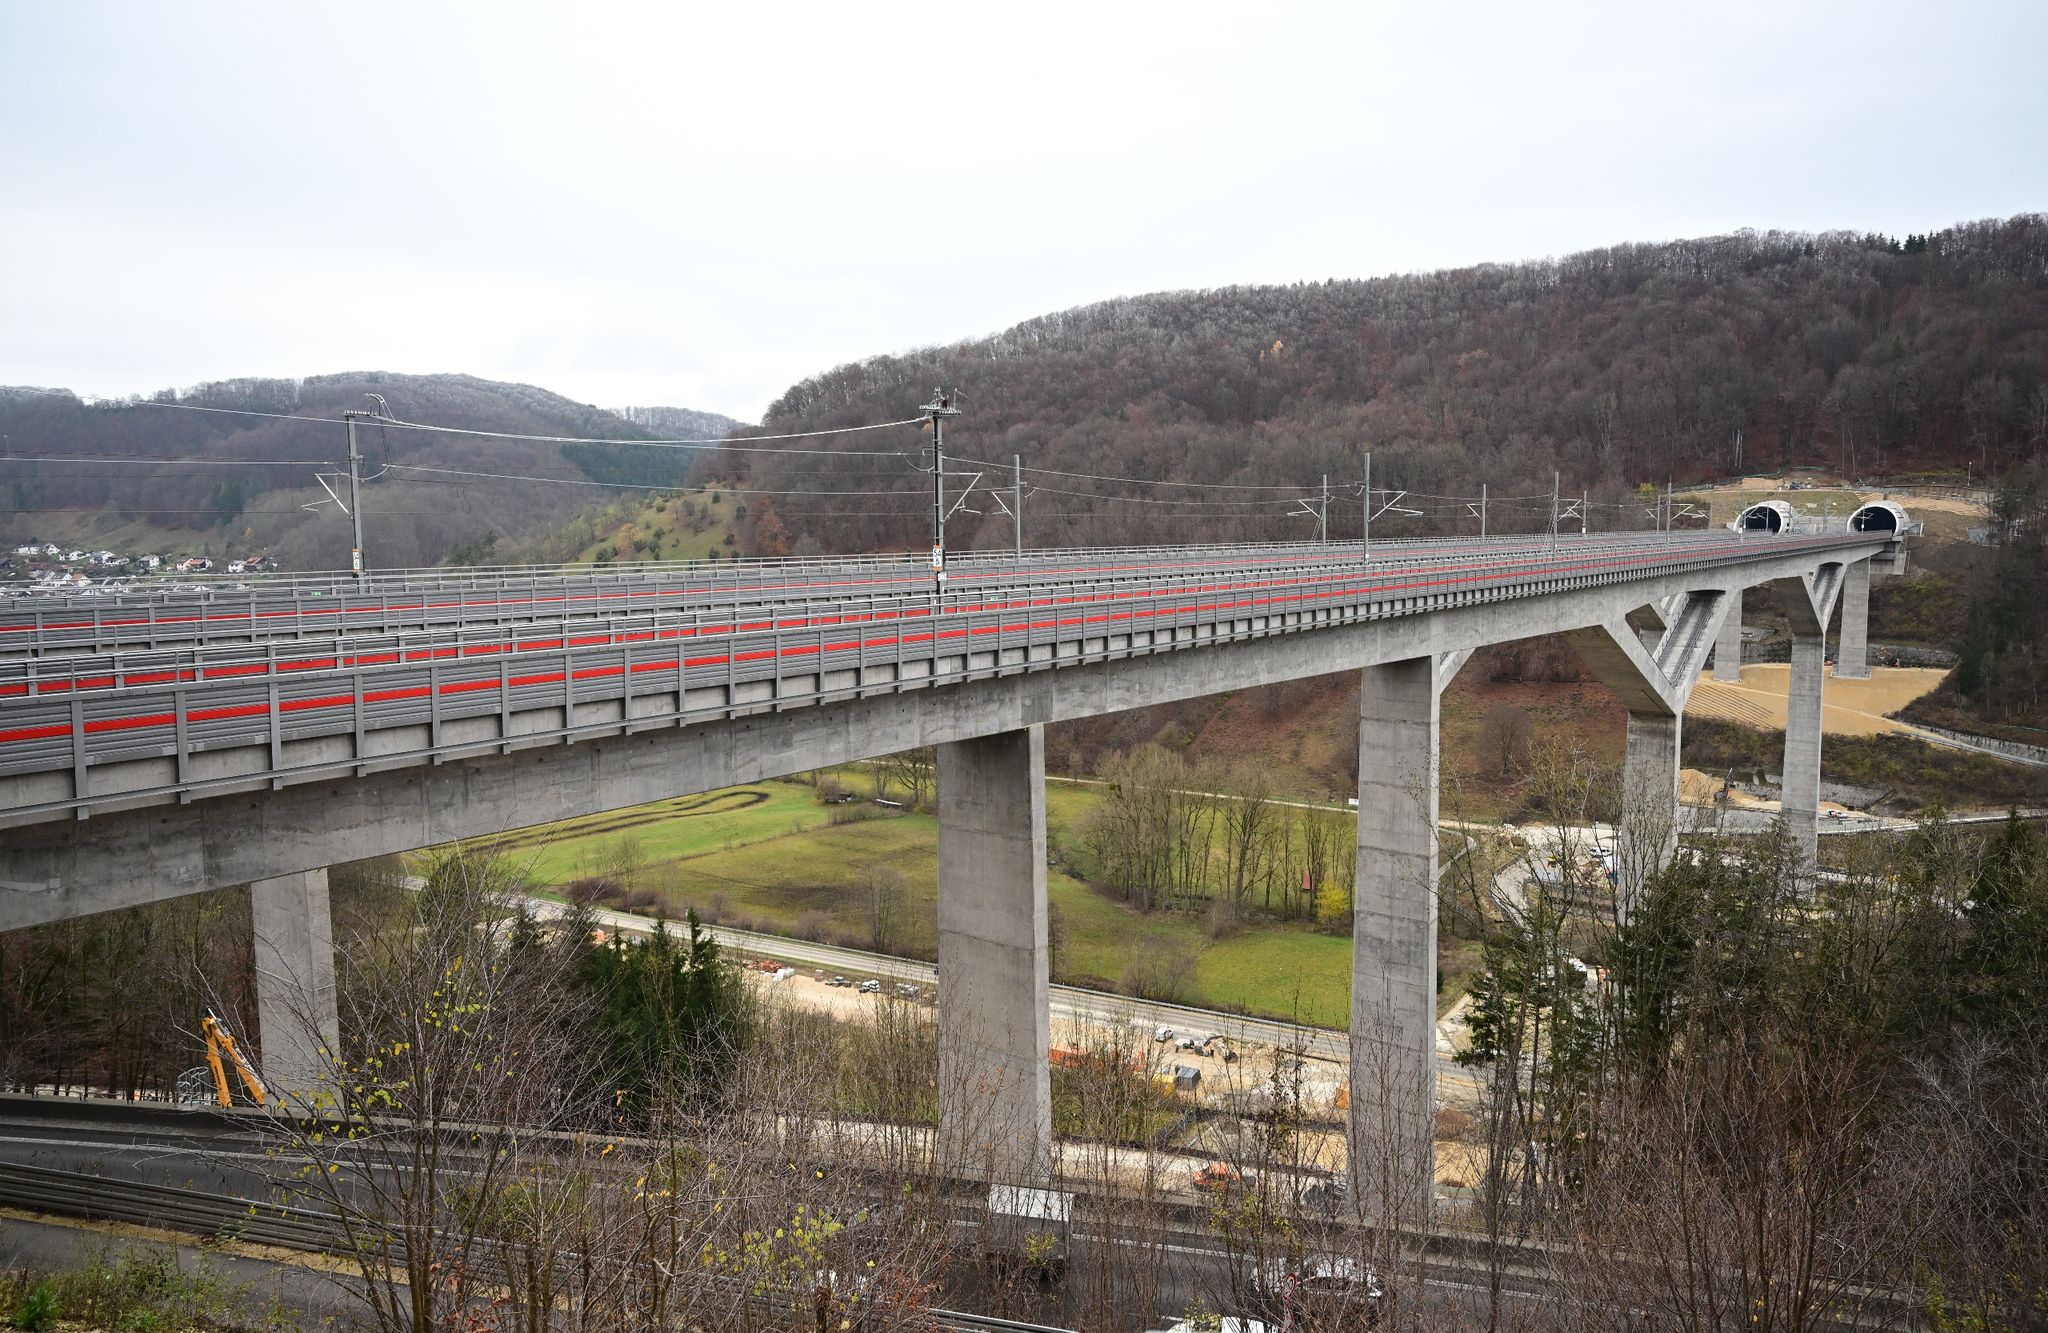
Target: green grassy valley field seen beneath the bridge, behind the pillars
<point>769,857</point>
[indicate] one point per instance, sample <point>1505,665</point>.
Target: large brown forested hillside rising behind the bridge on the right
<point>1625,365</point>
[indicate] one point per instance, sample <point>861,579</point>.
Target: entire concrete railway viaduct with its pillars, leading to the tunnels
<point>159,744</point>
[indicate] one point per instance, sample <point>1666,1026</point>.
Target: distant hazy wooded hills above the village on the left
<point>132,482</point>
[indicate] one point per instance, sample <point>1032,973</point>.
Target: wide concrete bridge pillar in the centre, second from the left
<point>994,1021</point>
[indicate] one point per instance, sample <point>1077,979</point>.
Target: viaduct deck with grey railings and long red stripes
<point>130,701</point>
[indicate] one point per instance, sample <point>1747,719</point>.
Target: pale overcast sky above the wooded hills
<point>699,206</point>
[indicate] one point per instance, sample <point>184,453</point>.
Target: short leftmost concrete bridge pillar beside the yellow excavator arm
<point>294,980</point>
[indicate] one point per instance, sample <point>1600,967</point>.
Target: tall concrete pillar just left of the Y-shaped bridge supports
<point>1394,945</point>
